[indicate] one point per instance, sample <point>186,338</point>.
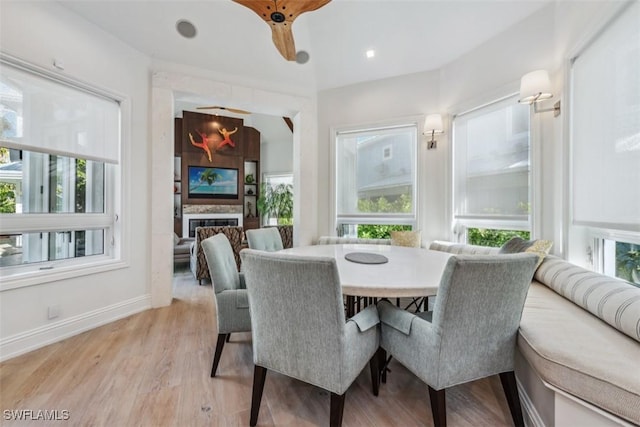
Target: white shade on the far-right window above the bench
<point>605,127</point>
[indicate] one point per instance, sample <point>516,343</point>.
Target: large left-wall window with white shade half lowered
<point>59,151</point>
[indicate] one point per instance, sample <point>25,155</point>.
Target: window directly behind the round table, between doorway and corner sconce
<point>375,180</point>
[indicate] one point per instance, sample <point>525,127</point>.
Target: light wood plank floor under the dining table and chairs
<point>152,369</point>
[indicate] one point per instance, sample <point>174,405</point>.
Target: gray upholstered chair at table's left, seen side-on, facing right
<point>232,303</point>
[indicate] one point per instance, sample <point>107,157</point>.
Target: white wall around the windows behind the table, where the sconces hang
<point>493,69</point>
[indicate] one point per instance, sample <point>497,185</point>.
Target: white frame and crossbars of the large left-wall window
<point>110,220</point>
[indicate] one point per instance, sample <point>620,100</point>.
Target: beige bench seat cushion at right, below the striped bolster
<point>580,354</point>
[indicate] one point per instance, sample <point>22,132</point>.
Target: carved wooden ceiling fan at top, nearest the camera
<point>280,14</point>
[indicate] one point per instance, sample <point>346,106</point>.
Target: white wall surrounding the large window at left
<point>38,32</point>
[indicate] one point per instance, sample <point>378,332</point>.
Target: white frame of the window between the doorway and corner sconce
<point>383,219</point>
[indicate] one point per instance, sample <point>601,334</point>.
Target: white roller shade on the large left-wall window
<point>48,117</point>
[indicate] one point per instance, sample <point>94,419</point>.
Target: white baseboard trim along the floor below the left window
<point>25,342</point>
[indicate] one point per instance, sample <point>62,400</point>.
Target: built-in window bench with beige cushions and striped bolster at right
<point>580,333</point>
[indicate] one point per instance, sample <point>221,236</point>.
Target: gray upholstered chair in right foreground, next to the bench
<point>471,332</point>
